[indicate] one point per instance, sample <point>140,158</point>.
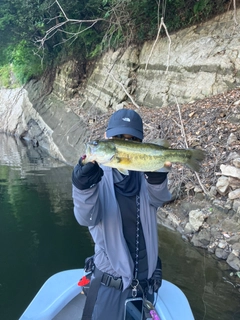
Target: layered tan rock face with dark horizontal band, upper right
<point>198,62</point>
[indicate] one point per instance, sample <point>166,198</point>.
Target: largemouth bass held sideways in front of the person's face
<point>127,155</point>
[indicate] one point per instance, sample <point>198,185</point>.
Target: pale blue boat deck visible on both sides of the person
<point>60,298</point>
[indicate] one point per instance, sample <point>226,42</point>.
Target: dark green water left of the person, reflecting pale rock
<point>38,233</point>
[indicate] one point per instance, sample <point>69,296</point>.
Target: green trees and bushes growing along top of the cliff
<point>37,34</point>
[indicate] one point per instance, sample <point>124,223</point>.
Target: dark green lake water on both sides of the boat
<point>39,237</point>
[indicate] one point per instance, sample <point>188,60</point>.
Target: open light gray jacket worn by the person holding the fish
<point>98,209</point>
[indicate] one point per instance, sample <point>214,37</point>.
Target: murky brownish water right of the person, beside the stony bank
<point>201,277</point>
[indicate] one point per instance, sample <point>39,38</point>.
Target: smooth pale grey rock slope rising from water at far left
<point>36,116</point>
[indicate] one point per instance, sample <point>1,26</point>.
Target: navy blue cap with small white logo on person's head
<point>125,121</point>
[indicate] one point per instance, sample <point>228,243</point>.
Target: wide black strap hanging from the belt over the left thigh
<point>92,295</point>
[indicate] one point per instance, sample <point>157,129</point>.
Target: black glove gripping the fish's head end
<point>86,176</point>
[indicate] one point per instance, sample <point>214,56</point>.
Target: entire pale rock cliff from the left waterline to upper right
<point>192,64</point>
